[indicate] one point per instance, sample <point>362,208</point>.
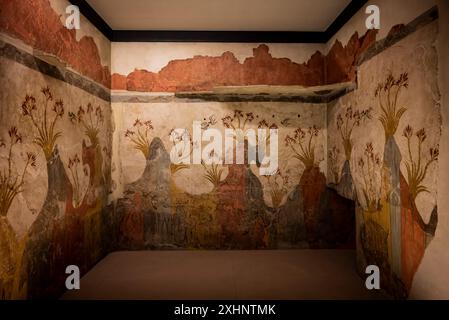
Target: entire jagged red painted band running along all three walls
<point>36,23</point>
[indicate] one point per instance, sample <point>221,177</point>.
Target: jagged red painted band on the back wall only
<point>204,72</point>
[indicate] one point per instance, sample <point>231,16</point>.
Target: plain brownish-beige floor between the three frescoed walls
<point>281,274</point>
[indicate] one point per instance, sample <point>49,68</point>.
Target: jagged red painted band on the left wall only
<point>38,25</point>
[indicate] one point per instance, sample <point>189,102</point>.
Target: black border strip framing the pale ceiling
<point>219,36</point>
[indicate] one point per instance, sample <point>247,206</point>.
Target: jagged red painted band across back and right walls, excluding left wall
<point>203,72</point>
